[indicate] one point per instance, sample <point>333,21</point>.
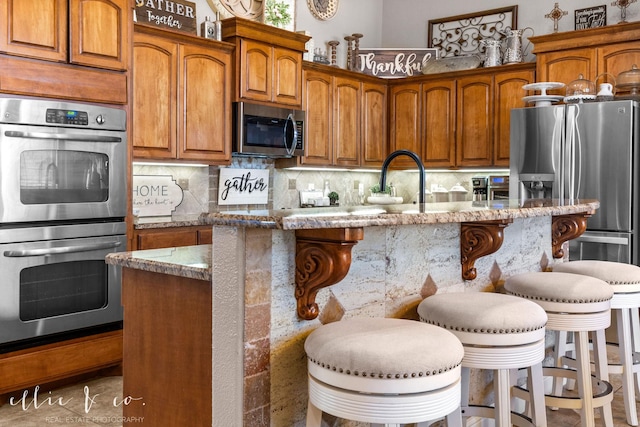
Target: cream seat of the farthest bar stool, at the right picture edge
<point>623,278</point>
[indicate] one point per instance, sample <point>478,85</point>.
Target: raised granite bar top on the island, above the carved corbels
<point>405,214</point>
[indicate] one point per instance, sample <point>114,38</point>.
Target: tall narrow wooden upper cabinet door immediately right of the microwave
<point>318,103</point>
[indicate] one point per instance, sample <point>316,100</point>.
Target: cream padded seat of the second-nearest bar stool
<point>473,314</point>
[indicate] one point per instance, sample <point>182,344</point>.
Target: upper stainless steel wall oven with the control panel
<point>61,161</point>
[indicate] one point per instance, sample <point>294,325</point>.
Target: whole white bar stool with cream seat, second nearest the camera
<point>501,333</point>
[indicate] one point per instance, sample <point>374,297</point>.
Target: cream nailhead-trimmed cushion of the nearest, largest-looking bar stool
<point>384,348</point>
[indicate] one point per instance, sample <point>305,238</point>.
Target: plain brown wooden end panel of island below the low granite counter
<point>167,350</point>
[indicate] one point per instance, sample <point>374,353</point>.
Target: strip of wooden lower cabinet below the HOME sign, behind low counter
<point>172,237</point>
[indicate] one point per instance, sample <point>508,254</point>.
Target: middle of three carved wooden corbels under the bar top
<point>478,239</point>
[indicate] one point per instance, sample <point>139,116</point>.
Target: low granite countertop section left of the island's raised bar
<point>188,261</point>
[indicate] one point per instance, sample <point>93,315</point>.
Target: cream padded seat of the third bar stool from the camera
<point>574,292</point>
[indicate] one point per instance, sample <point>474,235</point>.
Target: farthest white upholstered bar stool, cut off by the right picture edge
<point>624,280</point>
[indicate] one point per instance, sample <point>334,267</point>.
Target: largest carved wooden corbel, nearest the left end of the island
<point>323,258</point>
